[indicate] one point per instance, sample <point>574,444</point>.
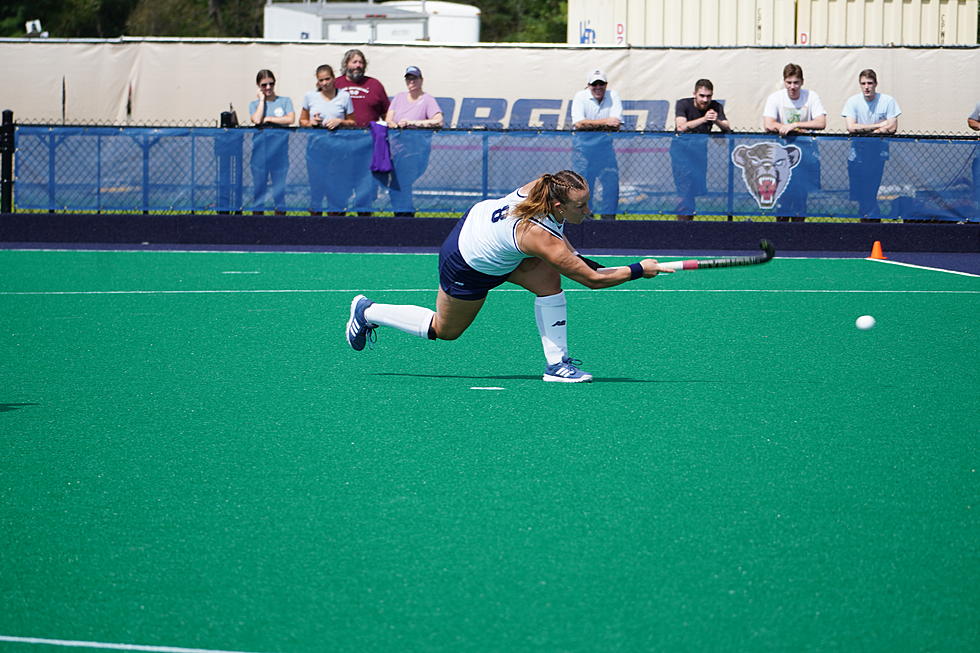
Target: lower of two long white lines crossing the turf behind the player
<point>286,291</point>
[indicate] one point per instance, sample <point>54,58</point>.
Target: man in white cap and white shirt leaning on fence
<point>595,111</point>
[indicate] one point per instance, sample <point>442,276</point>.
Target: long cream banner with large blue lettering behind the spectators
<point>191,82</point>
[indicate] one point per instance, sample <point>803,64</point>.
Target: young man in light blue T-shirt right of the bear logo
<point>868,112</point>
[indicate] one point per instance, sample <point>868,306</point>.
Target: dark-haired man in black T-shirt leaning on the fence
<point>689,156</point>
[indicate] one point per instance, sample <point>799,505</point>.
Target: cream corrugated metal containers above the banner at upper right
<point>667,23</point>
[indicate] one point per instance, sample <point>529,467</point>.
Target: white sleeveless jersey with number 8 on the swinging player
<point>488,238</point>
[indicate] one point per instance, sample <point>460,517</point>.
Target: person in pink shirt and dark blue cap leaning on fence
<point>414,112</point>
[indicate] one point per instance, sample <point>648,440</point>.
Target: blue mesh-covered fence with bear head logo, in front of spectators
<point>189,170</point>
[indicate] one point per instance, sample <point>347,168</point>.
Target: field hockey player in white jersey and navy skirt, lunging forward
<point>518,238</point>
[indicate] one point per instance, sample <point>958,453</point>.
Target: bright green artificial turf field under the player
<point>193,457</point>
